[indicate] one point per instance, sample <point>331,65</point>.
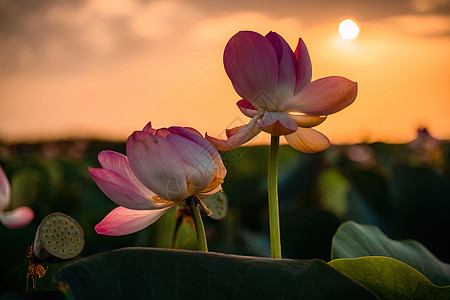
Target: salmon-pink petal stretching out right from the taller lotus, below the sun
<point>324,96</point>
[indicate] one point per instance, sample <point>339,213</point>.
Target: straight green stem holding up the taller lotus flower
<point>274,219</point>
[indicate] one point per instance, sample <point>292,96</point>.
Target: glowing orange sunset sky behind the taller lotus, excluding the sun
<point>106,68</point>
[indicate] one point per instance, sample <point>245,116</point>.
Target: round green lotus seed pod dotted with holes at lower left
<point>58,238</point>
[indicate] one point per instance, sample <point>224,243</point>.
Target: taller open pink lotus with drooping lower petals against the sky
<point>275,84</point>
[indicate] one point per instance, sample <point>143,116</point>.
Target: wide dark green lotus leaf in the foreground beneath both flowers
<point>148,273</point>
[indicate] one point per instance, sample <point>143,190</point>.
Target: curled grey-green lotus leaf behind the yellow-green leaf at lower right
<point>353,240</point>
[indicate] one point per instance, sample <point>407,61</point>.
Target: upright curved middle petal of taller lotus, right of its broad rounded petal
<point>287,64</point>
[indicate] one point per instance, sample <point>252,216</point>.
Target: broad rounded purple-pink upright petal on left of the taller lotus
<point>251,64</point>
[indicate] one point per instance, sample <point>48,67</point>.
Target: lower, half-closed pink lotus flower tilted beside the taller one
<point>163,168</point>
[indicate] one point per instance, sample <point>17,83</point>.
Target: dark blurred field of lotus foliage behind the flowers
<point>403,189</point>
